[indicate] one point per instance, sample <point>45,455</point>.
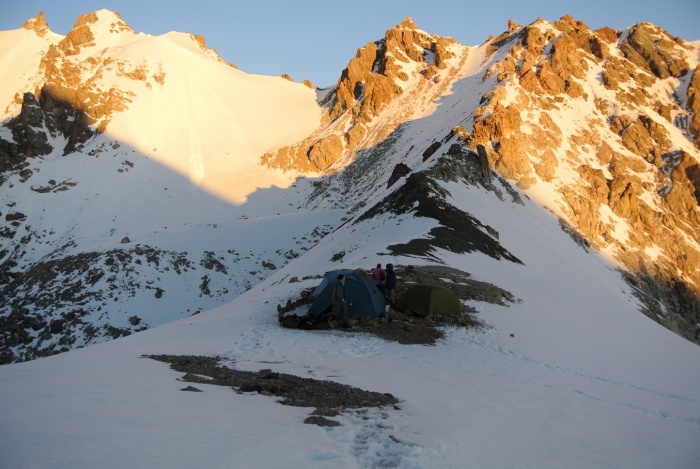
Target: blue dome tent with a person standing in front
<point>363,298</point>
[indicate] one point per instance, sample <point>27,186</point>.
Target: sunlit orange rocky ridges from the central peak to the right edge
<point>620,179</point>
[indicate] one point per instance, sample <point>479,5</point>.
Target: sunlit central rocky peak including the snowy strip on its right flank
<point>407,69</point>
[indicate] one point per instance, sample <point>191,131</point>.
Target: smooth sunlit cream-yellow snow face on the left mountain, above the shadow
<point>231,118</point>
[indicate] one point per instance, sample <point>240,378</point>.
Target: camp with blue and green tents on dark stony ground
<point>426,297</point>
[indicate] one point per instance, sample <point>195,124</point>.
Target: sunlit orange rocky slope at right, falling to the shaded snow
<point>626,175</point>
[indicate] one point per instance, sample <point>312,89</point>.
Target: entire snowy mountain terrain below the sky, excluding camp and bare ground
<point>143,180</point>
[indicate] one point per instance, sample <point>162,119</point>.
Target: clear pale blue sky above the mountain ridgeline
<point>314,39</point>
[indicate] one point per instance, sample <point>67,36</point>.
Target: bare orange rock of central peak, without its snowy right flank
<point>373,79</point>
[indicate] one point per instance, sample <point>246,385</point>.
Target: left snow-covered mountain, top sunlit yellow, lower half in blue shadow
<point>109,161</point>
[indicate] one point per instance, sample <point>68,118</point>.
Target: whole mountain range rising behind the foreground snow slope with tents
<point>119,149</point>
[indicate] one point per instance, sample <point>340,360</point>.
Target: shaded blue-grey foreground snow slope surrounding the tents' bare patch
<point>571,376</point>
